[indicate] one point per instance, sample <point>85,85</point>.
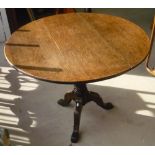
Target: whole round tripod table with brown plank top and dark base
<point>77,48</point>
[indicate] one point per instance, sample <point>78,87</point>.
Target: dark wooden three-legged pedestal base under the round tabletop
<point>81,96</point>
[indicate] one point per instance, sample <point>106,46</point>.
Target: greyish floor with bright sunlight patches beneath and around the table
<point>29,109</point>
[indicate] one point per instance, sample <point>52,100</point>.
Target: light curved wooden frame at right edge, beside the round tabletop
<point>150,69</point>
